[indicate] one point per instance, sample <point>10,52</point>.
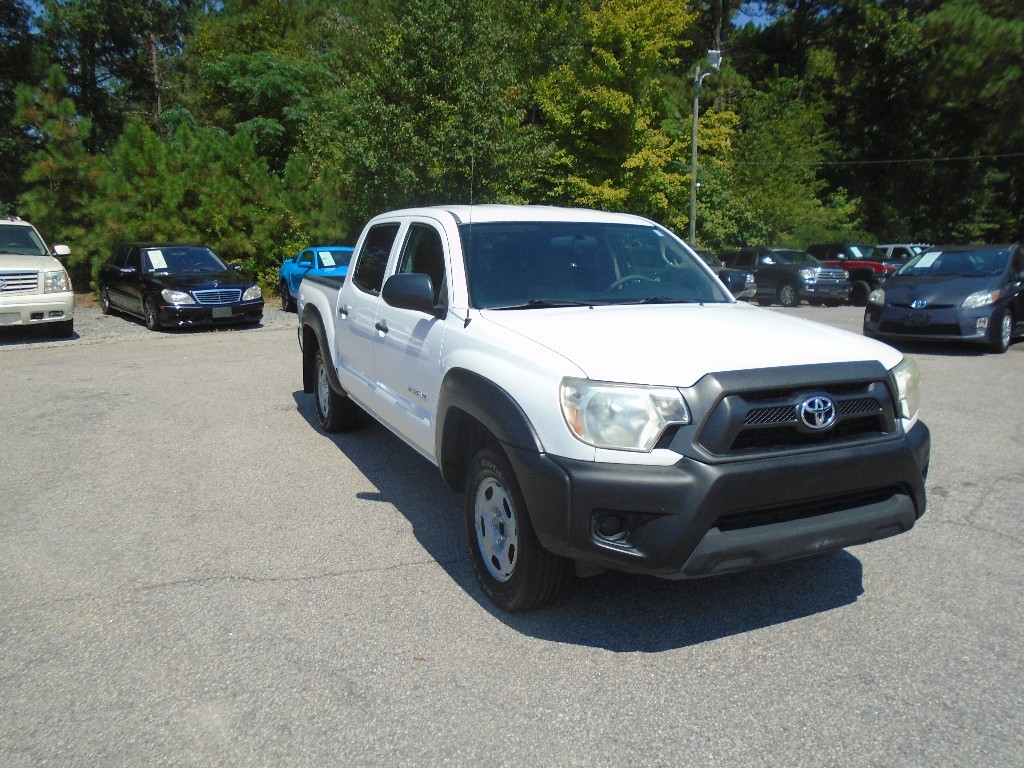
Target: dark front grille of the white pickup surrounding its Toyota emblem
<point>763,422</point>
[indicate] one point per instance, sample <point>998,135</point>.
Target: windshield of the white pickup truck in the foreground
<point>538,265</point>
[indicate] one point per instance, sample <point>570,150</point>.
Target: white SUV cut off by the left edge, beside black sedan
<point>35,287</point>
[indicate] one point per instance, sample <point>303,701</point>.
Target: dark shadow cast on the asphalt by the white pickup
<point>614,612</point>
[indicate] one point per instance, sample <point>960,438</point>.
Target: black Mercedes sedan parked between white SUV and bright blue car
<point>178,285</point>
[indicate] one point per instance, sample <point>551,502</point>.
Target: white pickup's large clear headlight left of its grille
<point>620,416</point>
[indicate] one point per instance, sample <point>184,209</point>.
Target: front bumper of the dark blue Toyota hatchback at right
<point>945,324</point>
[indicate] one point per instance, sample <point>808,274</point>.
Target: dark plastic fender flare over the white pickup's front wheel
<point>472,412</point>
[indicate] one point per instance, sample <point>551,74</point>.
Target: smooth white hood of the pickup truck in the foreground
<point>676,345</point>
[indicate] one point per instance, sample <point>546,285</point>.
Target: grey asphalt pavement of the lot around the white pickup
<point>192,574</point>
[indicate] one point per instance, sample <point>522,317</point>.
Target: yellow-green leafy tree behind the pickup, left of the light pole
<point>605,112</point>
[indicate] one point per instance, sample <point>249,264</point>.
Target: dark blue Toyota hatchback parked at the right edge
<point>953,293</point>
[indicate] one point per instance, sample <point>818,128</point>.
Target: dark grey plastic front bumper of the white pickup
<point>696,520</point>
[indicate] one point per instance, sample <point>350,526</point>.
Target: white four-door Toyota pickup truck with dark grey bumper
<point>605,402</point>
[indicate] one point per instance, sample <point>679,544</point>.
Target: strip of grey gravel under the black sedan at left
<point>93,327</point>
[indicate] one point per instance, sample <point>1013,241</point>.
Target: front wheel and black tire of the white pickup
<point>515,571</point>
